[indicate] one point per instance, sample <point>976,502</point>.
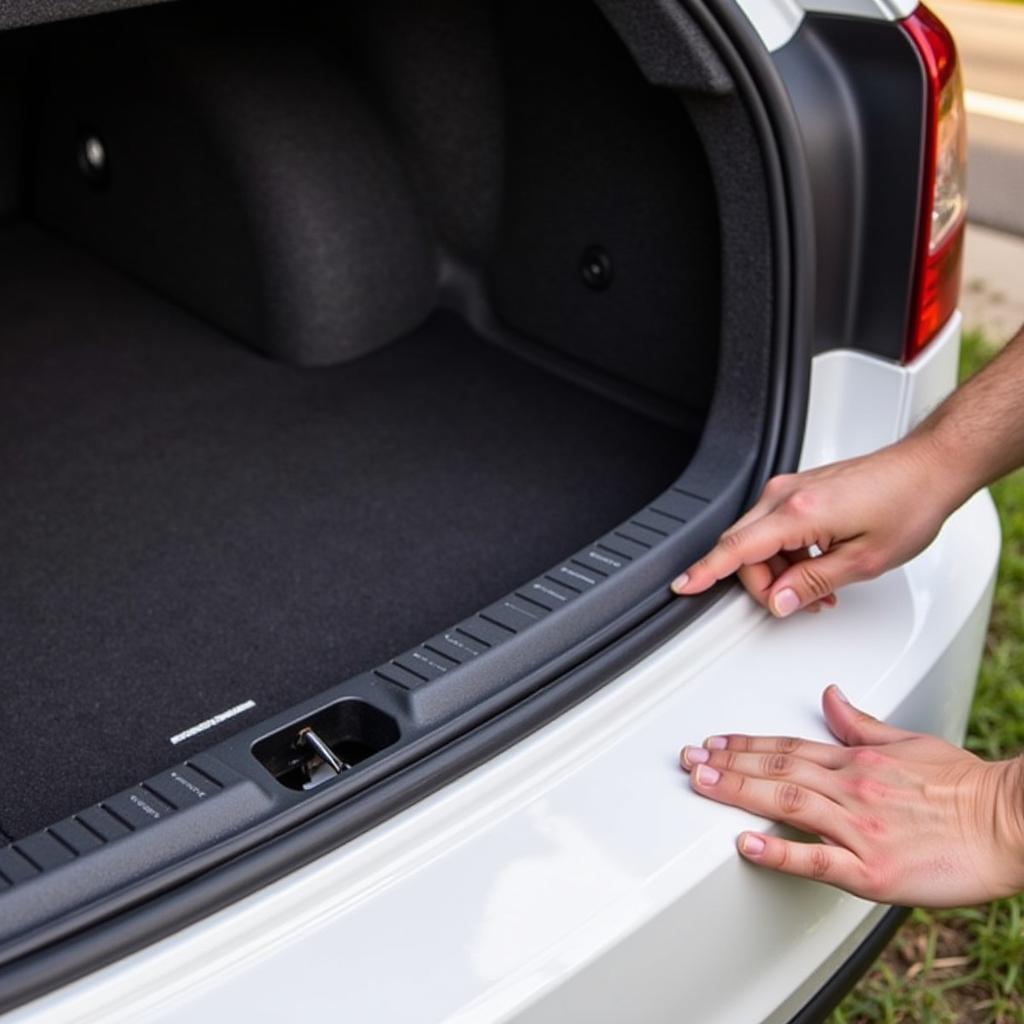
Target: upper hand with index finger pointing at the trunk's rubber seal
<point>866,516</point>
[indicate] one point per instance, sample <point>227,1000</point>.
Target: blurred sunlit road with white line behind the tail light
<point>991,39</point>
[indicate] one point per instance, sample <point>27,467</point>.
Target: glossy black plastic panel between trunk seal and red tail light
<point>860,92</point>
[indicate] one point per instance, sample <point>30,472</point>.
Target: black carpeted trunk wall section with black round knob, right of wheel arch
<point>596,158</point>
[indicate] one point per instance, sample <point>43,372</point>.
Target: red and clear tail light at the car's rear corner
<point>944,204</point>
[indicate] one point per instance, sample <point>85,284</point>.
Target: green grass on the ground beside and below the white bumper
<point>968,966</point>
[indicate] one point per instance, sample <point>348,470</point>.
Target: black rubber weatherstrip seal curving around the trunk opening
<point>155,915</point>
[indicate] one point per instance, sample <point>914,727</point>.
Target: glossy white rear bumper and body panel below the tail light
<point>576,877</point>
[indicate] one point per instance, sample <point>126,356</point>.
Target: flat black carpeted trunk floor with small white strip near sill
<point>187,525</point>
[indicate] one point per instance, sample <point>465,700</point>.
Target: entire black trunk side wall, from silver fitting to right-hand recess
<point>380,138</point>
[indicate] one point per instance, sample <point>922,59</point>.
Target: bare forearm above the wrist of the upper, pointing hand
<point>977,435</point>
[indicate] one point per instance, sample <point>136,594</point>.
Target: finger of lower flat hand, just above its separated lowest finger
<point>783,801</point>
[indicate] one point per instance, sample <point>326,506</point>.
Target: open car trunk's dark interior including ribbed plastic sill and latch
<point>363,368</point>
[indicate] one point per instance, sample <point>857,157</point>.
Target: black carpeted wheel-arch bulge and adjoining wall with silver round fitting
<point>248,179</point>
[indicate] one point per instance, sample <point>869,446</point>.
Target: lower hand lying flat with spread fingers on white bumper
<point>907,819</point>
